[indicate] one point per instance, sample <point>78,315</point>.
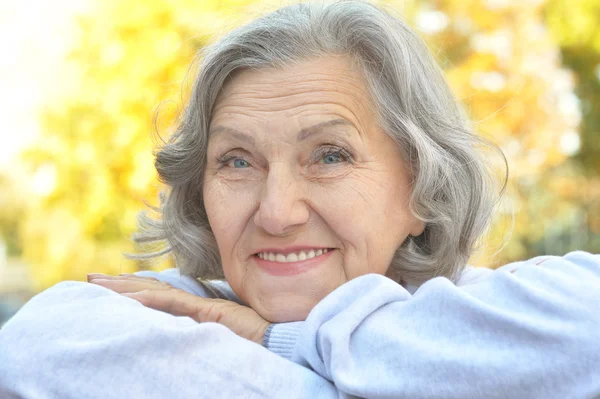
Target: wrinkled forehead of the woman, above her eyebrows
<point>332,84</point>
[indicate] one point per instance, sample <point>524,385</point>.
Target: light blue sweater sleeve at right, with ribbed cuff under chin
<point>530,331</point>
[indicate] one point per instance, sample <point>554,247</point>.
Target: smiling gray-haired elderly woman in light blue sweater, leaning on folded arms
<point>325,195</point>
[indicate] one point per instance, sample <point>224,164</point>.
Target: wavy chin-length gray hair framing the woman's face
<point>454,188</point>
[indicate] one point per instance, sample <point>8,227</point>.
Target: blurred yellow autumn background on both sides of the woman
<point>86,84</point>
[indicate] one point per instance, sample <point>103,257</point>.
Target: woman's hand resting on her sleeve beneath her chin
<point>150,292</point>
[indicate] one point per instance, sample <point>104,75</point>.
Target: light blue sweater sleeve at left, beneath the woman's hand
<point>79,340</point>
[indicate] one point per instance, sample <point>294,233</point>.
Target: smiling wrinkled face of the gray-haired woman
<point>303,190</point>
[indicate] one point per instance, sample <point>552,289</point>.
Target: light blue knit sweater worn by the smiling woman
<point>534,333</point>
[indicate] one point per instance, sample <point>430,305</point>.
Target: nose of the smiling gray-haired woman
<point>282,208</point>
